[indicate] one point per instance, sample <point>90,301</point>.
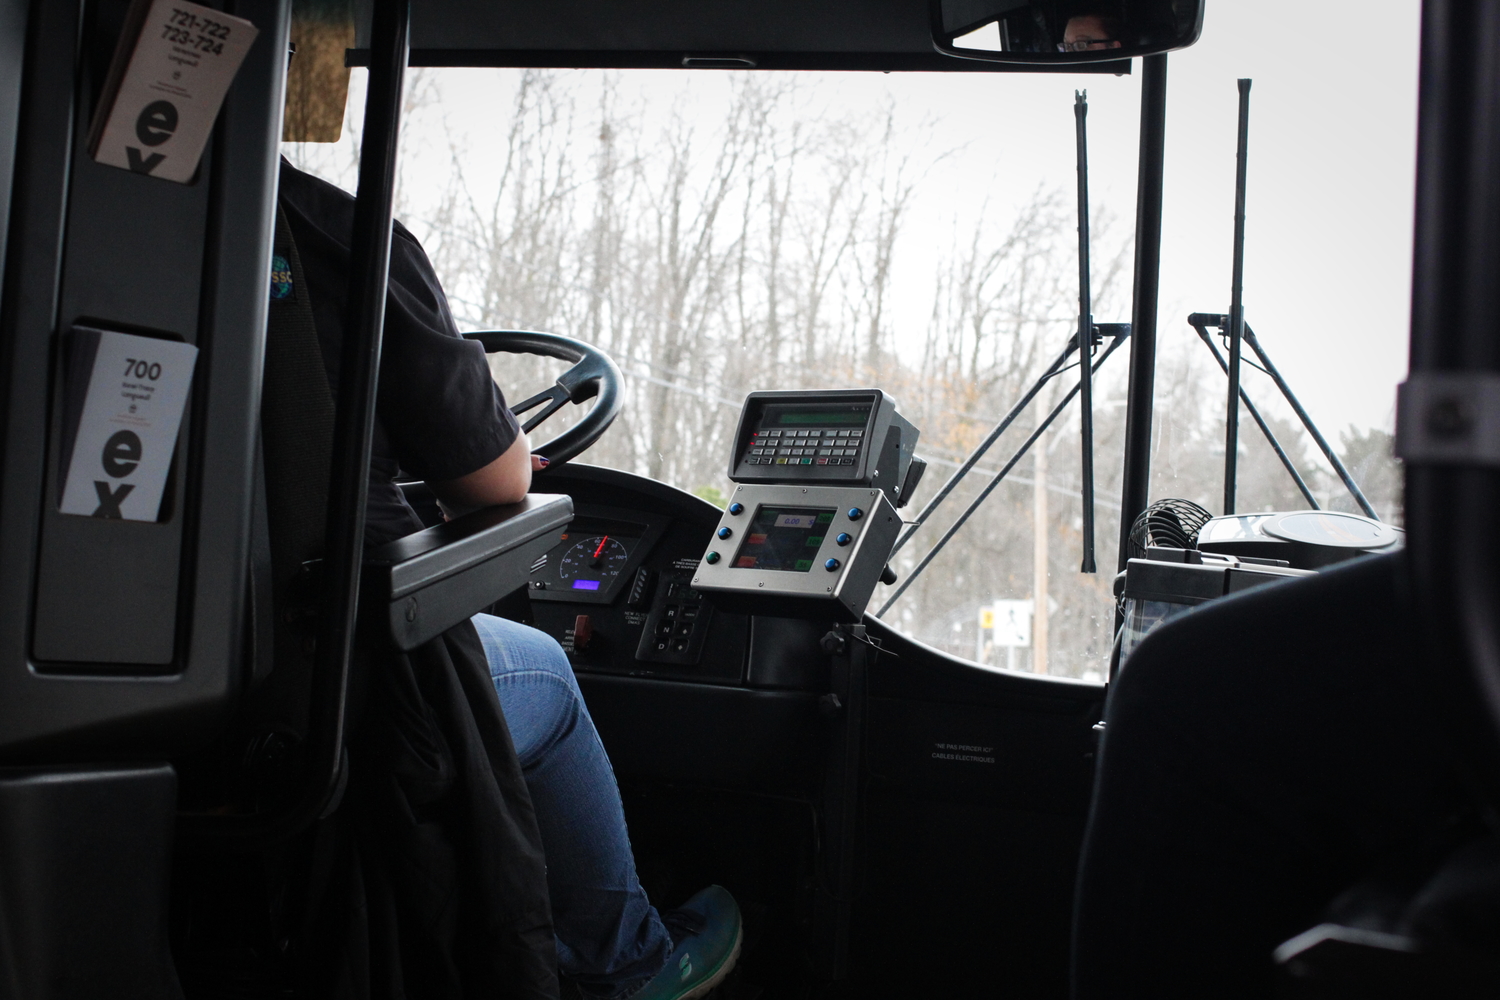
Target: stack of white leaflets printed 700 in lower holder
<point>125,406</point>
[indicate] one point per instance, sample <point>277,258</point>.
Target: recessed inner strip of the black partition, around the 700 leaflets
<point>133,257</point>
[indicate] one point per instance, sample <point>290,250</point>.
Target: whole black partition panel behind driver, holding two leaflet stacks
<point>118,633</point>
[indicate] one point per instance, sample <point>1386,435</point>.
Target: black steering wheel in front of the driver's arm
<point>593,374</point>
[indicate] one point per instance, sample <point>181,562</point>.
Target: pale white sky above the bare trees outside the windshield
<point>1330,185</point>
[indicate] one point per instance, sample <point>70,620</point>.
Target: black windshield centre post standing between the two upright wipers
<point>1136,482</point>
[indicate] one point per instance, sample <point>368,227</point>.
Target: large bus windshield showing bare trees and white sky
<point>722,233</point>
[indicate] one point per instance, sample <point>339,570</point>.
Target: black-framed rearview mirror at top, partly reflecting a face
<point>1064,31</point>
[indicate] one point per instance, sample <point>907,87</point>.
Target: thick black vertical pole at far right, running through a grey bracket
<point>1453,534</point>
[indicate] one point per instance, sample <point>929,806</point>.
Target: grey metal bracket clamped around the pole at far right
<point>1450,419</point>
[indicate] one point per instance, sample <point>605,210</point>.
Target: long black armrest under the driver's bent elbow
<point>434,579</point>
